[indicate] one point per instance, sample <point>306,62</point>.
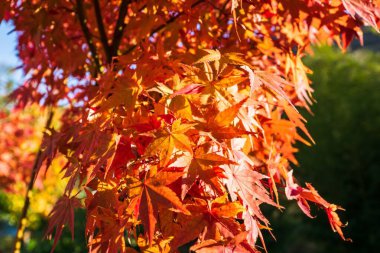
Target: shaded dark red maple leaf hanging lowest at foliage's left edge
<point>61,215</point>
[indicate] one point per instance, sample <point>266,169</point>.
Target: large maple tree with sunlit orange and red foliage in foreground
<point>180,117</point>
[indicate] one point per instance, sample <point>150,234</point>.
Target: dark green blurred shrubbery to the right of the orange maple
<point>344,165</point>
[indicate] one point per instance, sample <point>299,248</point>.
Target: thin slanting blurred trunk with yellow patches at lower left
<point>24,212</point>
